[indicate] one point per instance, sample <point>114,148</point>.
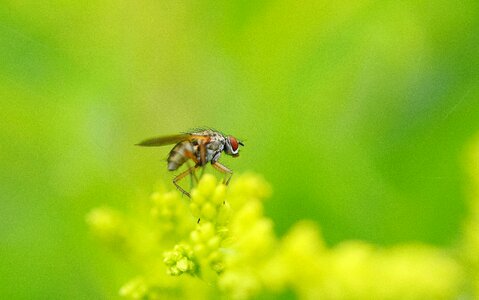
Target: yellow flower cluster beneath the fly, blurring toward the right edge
<point>219,243</point>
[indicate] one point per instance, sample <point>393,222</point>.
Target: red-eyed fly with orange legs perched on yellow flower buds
<point>202,147</point>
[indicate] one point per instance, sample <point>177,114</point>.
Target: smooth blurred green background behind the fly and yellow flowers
<point>357,112</point>
